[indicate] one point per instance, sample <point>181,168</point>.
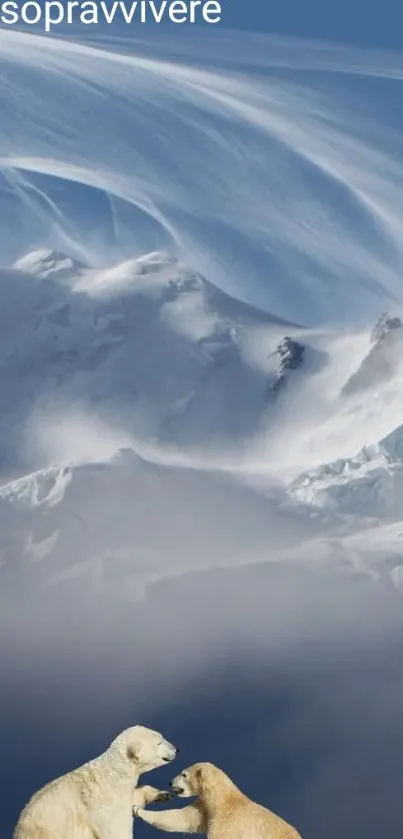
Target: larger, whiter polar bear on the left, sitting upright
<point>96,800</point>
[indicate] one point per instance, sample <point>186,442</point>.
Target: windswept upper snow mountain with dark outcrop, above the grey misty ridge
<point>155,353</point>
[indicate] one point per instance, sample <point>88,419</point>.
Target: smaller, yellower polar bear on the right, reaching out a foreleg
<point>221,810</point>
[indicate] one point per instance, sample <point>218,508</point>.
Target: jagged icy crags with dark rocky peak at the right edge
<point>370,482</point>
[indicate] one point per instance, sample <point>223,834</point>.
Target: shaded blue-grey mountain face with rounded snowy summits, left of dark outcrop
<point>148,345</point>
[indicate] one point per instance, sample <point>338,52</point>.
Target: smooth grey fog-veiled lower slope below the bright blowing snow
<point>114,527</point>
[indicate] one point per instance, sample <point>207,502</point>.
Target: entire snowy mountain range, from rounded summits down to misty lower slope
<point>217,398</point>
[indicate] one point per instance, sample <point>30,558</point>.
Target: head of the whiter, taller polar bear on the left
<point>143,748</point>
